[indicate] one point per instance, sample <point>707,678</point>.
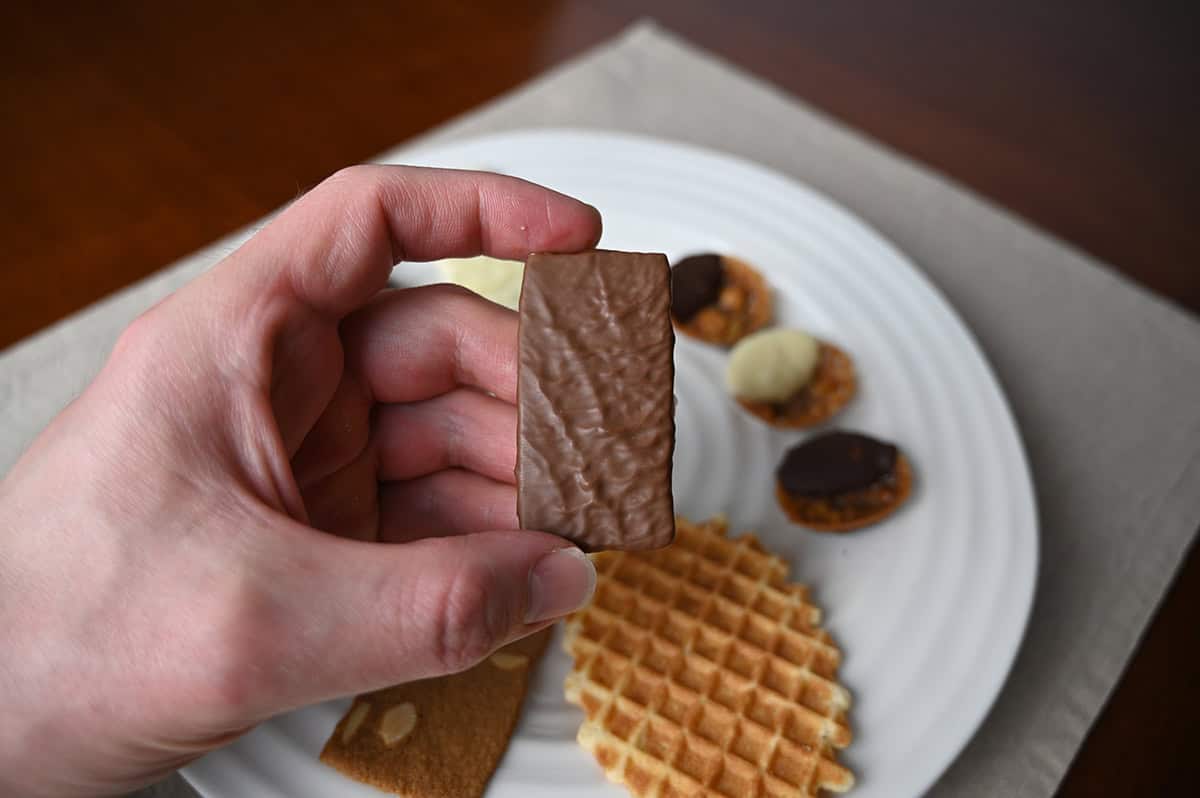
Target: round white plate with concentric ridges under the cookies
<point>929,607</point>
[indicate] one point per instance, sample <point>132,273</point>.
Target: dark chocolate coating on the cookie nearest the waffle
<point>836,463</point>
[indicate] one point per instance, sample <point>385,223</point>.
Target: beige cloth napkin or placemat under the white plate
<point>1103,377</point>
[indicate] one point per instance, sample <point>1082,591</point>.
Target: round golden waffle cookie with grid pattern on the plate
<point>703,671</point>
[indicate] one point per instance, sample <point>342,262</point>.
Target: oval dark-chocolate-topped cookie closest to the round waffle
<point>843,481</point>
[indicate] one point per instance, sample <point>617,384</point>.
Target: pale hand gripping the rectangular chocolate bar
<point>286,485</point>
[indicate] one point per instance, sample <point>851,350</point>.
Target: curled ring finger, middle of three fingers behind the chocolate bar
<point>463,429</point>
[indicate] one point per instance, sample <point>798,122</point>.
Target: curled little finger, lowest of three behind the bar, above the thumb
<point>448,503</point>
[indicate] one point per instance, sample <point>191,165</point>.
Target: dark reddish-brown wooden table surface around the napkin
<point>136,133</point>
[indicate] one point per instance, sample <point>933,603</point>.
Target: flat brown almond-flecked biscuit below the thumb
<point>437,739</point>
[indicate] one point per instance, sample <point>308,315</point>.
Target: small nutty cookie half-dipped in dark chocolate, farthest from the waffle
<point>718,299</point>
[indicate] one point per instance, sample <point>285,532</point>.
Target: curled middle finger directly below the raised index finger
<point>419,343</point>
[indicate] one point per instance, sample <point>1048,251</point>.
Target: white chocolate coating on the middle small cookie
<point>772,365</point>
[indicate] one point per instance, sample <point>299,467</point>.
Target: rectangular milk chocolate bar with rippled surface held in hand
<point>596,397</point>
